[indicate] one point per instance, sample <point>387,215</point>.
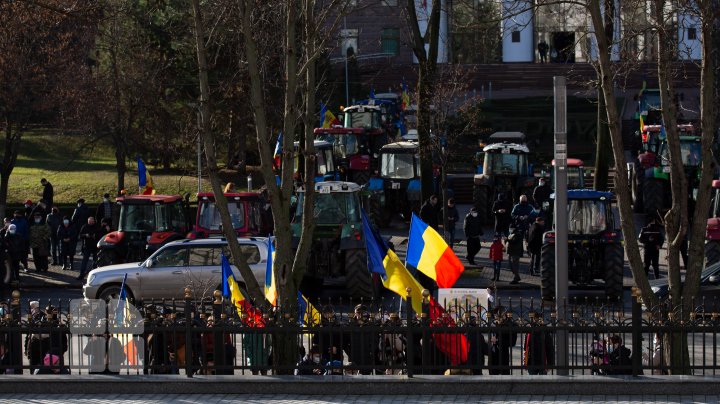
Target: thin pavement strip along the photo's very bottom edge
<point>278,398</point>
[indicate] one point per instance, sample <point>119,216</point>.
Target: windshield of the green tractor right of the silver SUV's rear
<point>336,207</point>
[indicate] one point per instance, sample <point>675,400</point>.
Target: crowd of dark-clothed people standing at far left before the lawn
<point>52,238</point>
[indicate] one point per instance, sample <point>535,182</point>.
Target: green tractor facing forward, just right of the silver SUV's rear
<point>338,251</point>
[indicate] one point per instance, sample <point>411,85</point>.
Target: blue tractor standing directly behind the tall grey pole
<point>595,246</point>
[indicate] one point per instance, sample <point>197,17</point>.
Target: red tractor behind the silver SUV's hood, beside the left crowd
<point>145,223</point>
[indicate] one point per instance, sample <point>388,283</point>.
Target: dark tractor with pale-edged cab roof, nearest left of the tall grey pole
<point>505,168</point>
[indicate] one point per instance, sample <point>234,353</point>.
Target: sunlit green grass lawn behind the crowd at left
<point>77,170</point>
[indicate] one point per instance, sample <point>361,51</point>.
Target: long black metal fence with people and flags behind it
<point>210,337</point>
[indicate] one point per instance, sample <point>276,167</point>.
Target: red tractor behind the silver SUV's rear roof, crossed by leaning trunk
<point>245,212</point>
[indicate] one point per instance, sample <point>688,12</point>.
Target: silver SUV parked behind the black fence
<point>177,265</point>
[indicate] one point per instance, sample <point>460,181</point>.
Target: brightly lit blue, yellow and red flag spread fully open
<point>430,254</point>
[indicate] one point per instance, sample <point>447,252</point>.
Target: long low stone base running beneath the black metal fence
<point>362,385</point>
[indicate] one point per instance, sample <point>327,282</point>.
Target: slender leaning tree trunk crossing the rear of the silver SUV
<point>253,288</point>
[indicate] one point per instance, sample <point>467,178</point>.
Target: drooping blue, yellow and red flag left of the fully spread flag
<point>397,278</point>
